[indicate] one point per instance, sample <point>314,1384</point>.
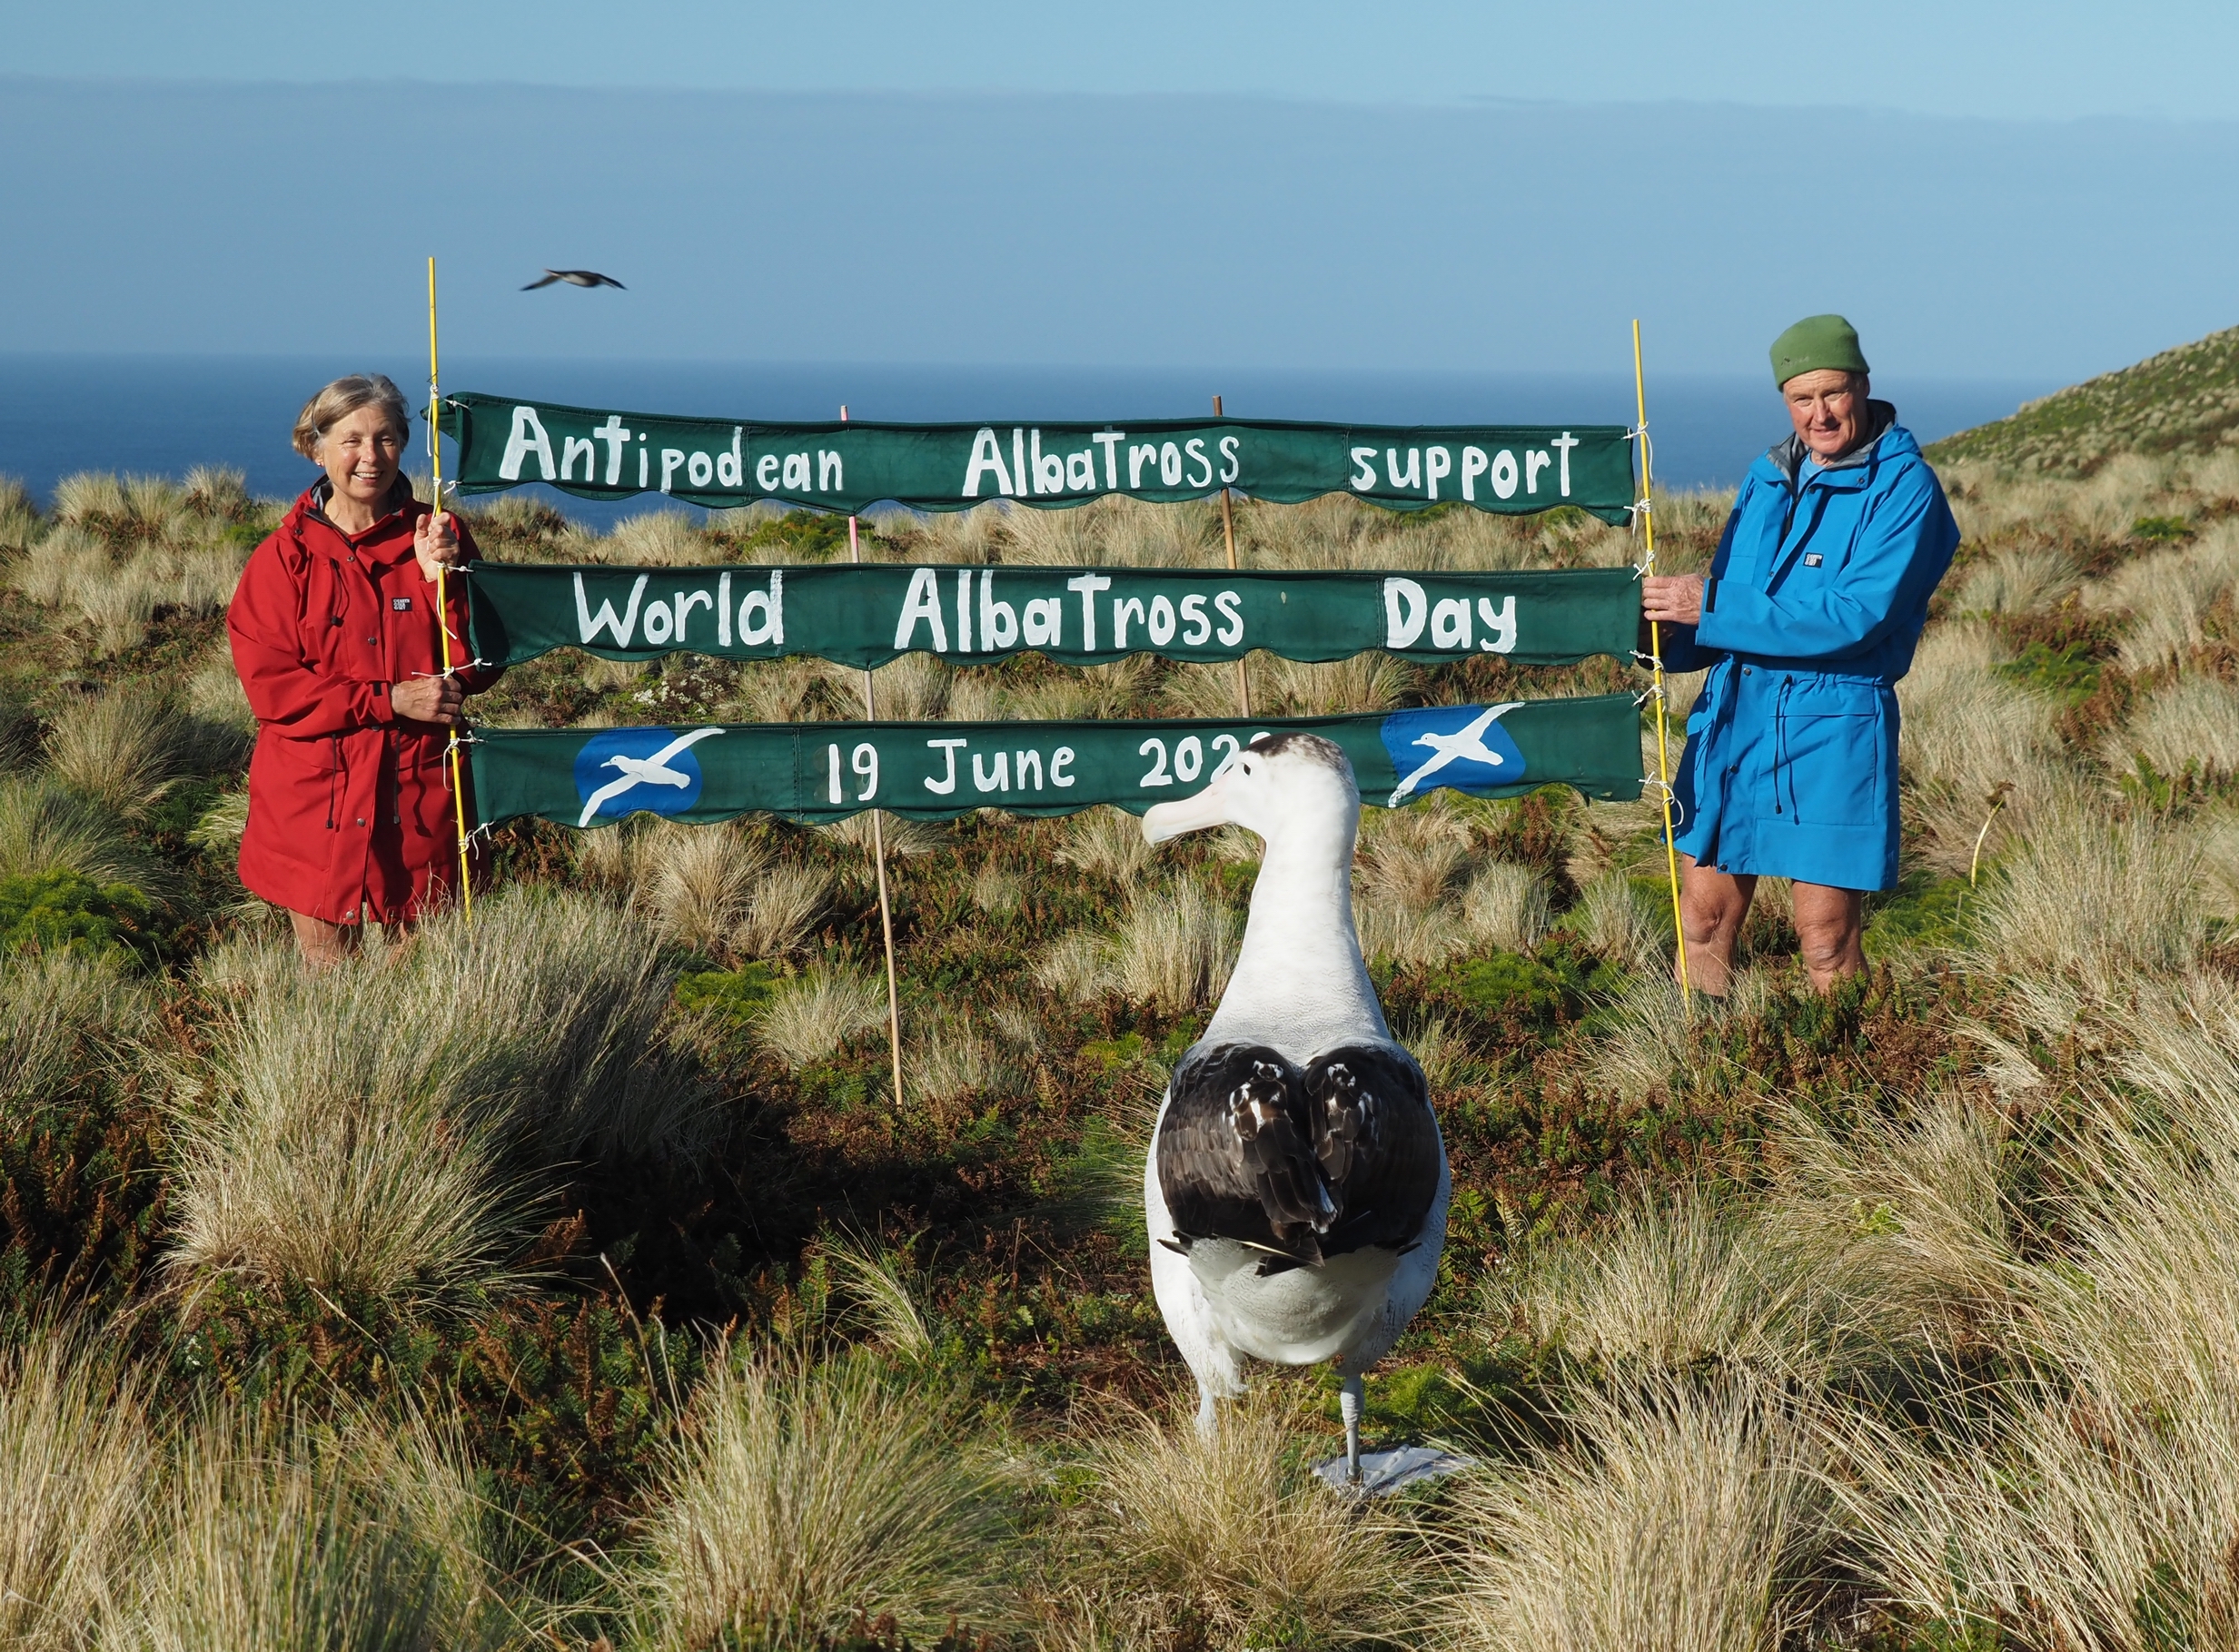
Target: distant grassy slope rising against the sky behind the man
<point>2184,400</point>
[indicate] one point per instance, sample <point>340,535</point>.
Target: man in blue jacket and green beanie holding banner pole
<point>1808,617</point>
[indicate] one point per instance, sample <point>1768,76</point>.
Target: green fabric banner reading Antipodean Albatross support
<point>845,467</point>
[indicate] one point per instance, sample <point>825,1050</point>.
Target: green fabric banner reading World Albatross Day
<point>865,614</point>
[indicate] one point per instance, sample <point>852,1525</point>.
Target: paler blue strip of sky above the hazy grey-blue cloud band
<point>2048,59</point>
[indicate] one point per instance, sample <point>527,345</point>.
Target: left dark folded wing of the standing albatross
<point>1237,1156</point>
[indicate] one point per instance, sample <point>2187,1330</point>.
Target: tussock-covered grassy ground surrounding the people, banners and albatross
<point>572,1279</point>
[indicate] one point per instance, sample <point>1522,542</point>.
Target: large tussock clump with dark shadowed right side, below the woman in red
<point>380,1127</point>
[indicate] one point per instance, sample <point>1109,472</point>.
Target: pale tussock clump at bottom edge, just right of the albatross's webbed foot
<point>1683,1519</point>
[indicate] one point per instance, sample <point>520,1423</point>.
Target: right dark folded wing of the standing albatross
<point>1376,1143</point>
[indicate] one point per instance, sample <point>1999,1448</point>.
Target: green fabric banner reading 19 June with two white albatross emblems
<point>939,771</point>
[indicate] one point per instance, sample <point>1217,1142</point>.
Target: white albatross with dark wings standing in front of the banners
<point>1298,1183</point>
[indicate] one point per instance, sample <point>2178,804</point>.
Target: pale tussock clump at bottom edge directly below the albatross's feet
<point>1226,1541</point>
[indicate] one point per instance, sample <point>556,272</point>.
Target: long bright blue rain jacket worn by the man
<point>1812,610</point>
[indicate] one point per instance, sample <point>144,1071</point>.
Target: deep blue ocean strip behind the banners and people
<point>160,415</point>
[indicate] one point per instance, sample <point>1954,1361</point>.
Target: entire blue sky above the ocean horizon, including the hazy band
<point>1987,191</point>
